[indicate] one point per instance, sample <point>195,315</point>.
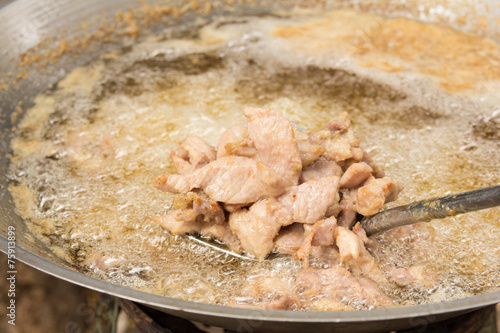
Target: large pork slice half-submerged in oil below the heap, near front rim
<point>340,285</point>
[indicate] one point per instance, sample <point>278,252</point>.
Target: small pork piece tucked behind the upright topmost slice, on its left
<point>235,141</point>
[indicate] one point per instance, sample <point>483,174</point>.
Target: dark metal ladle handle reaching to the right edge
<point>424,211</point>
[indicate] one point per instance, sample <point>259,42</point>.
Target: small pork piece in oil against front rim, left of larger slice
<point>270,293</point>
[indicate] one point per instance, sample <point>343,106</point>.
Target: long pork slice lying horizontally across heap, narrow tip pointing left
<point>229,179</point>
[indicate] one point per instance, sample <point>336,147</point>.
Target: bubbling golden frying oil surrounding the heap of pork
<point>87,153</point>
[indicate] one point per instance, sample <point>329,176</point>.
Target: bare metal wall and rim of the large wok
<point>23,25</point>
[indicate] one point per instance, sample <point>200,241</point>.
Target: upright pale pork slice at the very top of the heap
<point>273,136</point>
